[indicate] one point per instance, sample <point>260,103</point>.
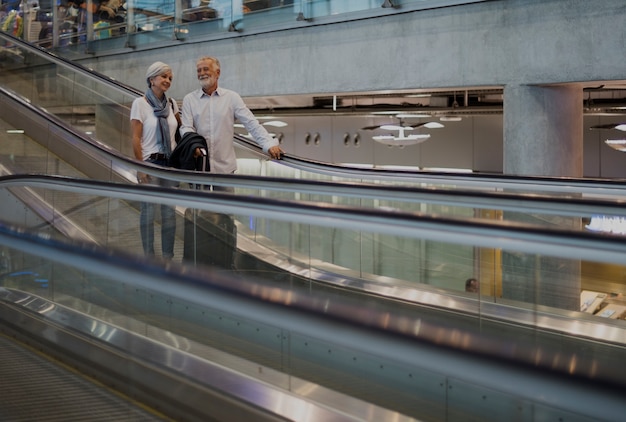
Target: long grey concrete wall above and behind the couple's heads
<point>489,43</point>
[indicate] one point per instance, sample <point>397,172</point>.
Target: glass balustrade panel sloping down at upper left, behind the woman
<point>81,99</point>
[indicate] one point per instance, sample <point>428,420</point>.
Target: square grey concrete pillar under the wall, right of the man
<point>543,136</point>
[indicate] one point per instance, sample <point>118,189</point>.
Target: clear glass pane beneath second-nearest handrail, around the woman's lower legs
<point>276,249</point>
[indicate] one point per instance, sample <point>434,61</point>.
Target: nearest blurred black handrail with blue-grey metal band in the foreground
<point>546,376</point>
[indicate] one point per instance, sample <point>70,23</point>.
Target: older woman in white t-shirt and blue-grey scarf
<point>154,122</point>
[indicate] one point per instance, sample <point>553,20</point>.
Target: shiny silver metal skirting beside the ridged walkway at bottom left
<point>198,374</point>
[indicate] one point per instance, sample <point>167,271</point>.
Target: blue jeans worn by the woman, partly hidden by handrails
<point>168,221</point>
